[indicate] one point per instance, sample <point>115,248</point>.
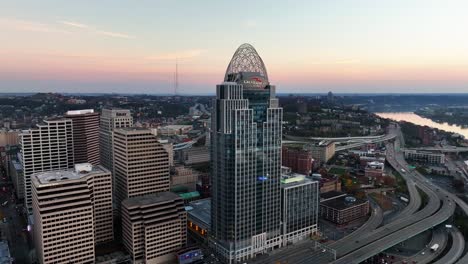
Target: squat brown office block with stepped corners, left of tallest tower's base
<point>154,227</point>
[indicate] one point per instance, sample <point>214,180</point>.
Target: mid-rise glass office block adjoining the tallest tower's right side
<point>299,207</point>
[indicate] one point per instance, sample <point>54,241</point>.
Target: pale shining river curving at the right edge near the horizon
<point>422,121</point>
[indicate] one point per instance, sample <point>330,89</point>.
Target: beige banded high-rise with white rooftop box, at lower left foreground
<point>72,212</point>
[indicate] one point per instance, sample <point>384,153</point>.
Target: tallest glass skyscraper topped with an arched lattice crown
<point>246,160</point>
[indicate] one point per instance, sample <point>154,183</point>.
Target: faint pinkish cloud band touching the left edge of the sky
<point>32,26</point>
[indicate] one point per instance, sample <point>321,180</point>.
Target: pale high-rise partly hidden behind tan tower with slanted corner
<point>111,119</point>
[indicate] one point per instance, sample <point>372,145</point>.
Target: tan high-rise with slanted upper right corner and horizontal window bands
<point>141,164</point>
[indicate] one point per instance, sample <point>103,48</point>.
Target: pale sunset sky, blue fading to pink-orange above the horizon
<point>128,46</point>
